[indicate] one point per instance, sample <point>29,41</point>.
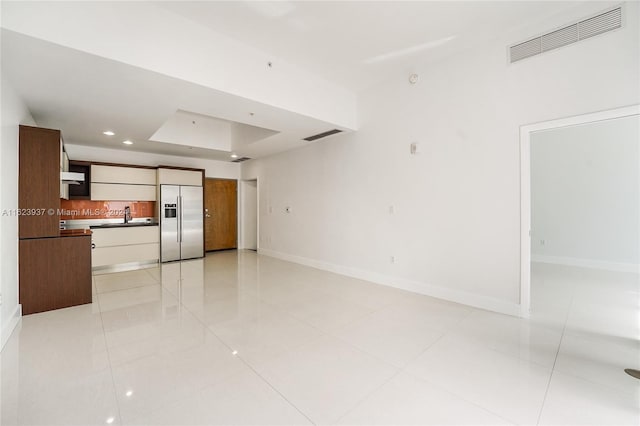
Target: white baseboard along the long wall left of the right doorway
<point>463,297</point>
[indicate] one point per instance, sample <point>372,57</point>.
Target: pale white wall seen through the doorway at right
<point>585,194</point>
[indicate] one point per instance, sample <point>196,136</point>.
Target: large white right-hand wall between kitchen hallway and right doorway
<point>456,228</point>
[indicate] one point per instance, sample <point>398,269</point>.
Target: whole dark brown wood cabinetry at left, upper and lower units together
<point>55,271</point>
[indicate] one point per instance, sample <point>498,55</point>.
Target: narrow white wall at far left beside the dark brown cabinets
<point>14,113</point>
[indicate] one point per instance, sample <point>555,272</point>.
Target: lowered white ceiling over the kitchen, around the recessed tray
<point>84,95</point>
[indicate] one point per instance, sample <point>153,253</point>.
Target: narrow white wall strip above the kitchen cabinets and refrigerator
<point>213,168</point>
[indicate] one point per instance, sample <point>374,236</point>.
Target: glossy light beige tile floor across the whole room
<point>238,338</point>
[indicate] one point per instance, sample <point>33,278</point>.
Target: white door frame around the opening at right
<point>525,186</point>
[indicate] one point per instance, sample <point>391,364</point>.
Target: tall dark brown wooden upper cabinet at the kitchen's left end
<point>39,182</point>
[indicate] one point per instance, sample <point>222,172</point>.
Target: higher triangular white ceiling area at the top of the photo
<point>357,43</point>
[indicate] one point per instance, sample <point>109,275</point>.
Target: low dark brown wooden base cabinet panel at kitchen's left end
<point>54,273</point>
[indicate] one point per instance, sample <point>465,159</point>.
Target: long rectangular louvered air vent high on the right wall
<point>586,28</point>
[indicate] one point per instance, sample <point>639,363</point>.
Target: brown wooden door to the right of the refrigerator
<point>221,214</point>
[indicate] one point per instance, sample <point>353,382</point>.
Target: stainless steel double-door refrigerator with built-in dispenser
<point>181,224</point>
